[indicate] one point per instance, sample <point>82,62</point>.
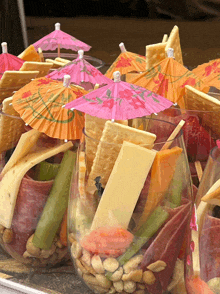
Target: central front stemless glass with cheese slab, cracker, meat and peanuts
<point>130,210</point>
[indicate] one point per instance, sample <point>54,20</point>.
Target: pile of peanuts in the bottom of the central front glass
<point>128,278</point>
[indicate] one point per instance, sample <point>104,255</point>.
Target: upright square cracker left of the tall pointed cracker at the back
<point>154,54</point>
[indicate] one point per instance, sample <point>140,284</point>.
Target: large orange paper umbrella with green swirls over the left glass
<point>40,102</point>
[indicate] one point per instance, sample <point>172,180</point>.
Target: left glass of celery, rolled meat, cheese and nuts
<point>30,166</point>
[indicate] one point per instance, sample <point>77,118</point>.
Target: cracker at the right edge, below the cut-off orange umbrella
<point>197,100</point>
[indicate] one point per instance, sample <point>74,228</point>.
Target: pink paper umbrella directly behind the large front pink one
<point>82,73</point>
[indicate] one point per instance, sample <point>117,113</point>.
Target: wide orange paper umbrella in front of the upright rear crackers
<point>169,78</point>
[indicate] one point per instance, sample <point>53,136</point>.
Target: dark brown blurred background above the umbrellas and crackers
<point>103,24</point>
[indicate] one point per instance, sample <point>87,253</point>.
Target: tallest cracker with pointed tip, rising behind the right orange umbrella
<point>174,43</point>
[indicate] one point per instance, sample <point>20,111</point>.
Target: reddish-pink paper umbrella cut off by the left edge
<point>8,61</point>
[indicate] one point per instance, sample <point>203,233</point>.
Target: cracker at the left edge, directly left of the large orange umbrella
<point>11,126</point>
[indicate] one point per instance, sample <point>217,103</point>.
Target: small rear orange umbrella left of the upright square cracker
<point>127,62</point>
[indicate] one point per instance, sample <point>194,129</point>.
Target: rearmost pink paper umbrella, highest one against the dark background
<point>59,39</point>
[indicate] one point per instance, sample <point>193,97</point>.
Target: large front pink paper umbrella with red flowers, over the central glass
<point>120,101</point>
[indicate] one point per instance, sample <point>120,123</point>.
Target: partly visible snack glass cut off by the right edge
<point>204,271</point>
